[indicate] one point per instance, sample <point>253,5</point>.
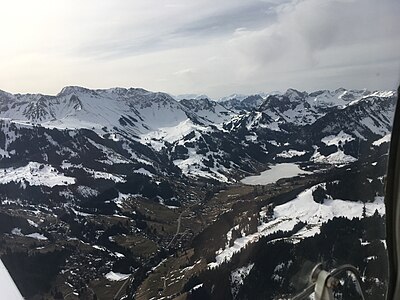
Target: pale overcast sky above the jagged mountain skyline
<point>207,47</point>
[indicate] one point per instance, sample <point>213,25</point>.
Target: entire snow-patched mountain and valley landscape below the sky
<point>126,185</point>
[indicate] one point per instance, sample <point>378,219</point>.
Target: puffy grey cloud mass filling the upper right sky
<point>313,35</point>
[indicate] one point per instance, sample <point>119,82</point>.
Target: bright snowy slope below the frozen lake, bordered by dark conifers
<point>301,209</point>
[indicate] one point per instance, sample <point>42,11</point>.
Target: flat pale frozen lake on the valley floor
<point>276,172</point>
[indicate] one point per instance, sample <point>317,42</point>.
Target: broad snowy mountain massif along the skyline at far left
<point>135,110</point>
